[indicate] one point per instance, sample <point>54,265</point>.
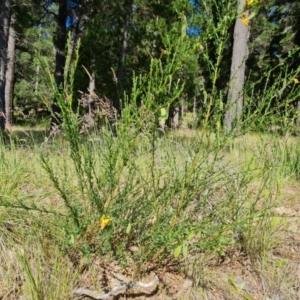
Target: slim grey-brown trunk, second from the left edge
<point>10,72</point>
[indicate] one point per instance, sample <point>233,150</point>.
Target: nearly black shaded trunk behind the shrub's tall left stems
<point>60,57</point>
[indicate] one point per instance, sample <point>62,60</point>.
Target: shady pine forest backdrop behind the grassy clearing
<point>118,41</point>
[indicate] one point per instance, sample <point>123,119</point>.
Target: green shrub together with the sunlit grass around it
<point>185,201</point>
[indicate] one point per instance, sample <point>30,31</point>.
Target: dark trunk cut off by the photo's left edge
<point>4,25</point>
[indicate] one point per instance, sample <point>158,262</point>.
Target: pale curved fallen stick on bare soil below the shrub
<point>116,289</point>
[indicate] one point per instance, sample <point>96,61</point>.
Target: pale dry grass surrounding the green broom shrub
<point>33,266</point>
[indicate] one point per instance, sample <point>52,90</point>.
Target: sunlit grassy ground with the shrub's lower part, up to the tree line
<point>214,217</point>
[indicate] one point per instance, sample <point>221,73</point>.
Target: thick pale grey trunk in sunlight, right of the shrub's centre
<point>237,72</point>
